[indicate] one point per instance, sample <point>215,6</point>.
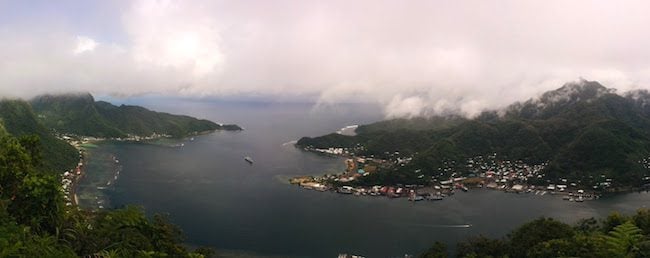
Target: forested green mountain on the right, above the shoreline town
<point>583,130</point>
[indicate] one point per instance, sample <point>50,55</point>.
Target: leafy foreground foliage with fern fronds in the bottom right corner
<point>614,236</point>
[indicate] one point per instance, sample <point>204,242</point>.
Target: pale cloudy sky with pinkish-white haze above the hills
<point>414,57</point>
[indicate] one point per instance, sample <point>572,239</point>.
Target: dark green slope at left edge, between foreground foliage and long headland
<point>19,120</point>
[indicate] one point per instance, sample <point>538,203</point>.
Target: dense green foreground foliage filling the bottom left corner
<point>35,223</point>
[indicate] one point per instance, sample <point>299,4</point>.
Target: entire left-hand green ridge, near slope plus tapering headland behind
<point>80,114</point>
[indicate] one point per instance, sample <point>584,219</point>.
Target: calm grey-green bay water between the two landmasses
<point>219,200</point>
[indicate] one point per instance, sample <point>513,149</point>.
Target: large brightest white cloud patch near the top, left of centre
<point>170,34</point>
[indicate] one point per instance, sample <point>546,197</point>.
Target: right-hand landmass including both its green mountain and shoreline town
<point>579,137</point>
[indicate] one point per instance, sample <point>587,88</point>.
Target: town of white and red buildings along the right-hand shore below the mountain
<point>487,172</point>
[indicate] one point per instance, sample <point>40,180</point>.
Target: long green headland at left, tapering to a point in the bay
<point>81,114</point>
